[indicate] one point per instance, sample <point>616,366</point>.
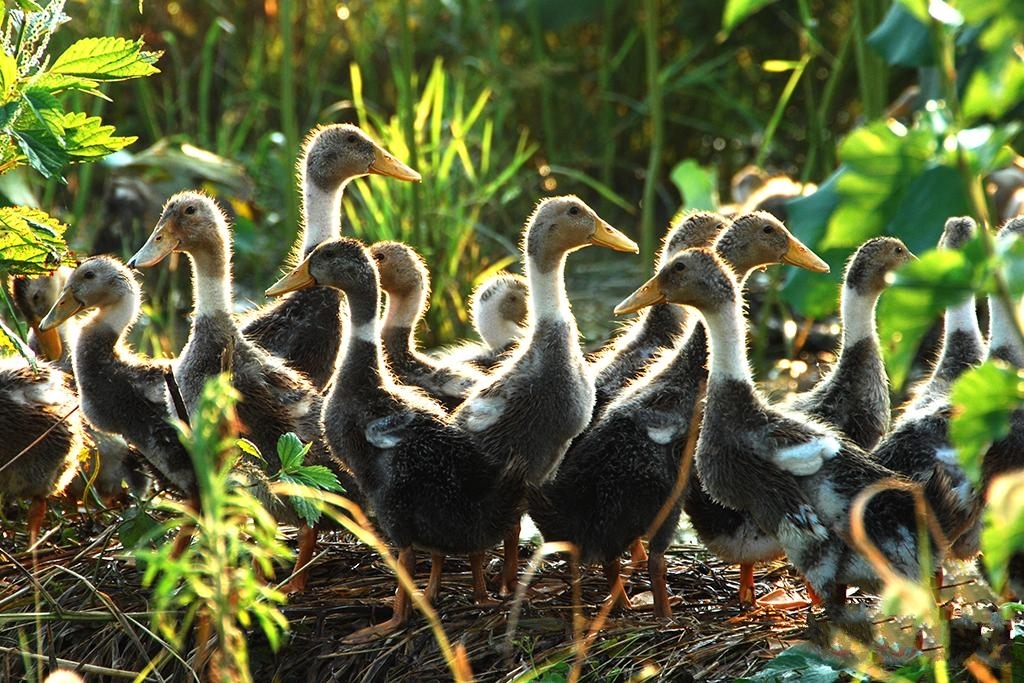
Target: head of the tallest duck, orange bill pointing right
<point>337,153</point>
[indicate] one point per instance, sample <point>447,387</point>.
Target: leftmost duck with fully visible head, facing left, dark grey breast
<point>121,393</point>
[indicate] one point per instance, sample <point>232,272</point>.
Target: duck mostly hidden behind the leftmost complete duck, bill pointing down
<point>112,463</point>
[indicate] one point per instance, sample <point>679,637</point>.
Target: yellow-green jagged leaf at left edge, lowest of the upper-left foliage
<point>31,242</point>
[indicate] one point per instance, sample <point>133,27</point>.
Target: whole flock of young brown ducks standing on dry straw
<point>449,451</point>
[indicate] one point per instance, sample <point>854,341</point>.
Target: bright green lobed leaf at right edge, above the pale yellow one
<point>984,399</point>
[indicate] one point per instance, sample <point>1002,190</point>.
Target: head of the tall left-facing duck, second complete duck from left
<point>190,221</point>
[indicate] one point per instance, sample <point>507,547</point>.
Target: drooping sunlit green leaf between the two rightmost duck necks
<point>920,294</point>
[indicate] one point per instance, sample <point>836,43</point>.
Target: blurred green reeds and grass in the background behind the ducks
<point>497,104</point>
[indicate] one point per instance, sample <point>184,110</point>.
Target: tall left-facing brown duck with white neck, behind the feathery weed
<point>276,399</point>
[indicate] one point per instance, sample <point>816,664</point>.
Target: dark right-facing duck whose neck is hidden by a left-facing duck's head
<point>625,468</point>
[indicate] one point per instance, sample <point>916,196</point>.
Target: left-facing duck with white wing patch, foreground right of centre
<point>794,475</point>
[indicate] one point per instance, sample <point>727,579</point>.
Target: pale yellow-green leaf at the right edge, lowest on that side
<point>1003,535</point>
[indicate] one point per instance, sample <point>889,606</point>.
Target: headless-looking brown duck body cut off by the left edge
<point>40,434</point>
